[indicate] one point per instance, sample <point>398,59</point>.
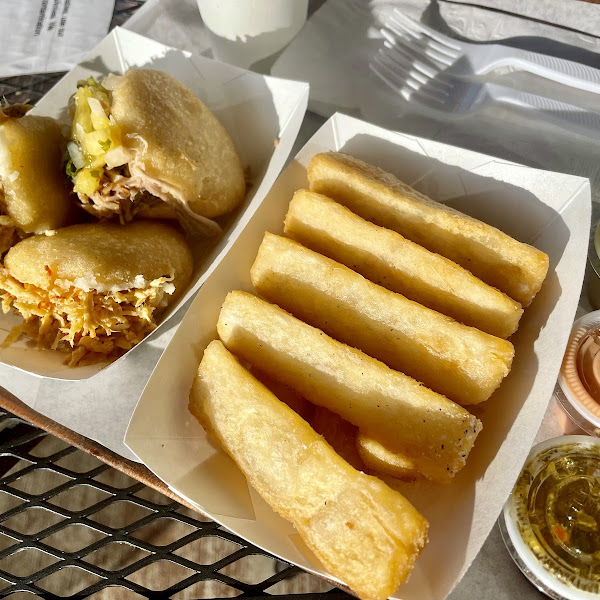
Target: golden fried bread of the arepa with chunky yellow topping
<point>178,141</point>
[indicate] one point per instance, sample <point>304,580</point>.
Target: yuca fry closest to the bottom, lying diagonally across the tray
<point>362,531</point>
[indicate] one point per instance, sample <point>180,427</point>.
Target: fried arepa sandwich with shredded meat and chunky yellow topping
<point>144,139</point>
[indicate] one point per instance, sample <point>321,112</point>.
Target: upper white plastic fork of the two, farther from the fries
<point>457,58</point>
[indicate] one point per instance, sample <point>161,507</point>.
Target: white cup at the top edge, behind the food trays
<point>242,32</point>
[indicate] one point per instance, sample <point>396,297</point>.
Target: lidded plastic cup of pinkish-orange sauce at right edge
<point>579,379</point>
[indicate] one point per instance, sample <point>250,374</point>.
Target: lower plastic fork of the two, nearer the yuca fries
<point>447,95</point>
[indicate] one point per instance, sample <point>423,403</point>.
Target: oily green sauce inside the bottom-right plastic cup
<point>557,500</point>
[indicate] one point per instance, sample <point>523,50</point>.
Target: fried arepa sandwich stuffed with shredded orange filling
<point>94,290</point>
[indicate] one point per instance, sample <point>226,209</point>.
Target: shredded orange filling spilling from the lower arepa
<point>90,326</point>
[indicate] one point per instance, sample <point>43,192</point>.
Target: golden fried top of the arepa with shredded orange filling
<point>103,256</point>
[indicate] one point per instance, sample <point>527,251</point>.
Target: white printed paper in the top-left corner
<point>44,36</point>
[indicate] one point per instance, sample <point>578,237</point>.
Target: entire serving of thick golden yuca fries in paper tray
<point>344,322</point>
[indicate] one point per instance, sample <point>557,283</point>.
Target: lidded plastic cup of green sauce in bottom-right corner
<point>551,522</point>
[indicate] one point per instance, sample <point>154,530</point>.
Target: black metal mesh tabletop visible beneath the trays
<point>71,526</point>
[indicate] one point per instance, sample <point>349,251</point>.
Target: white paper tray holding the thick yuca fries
<point>549,210</point>
